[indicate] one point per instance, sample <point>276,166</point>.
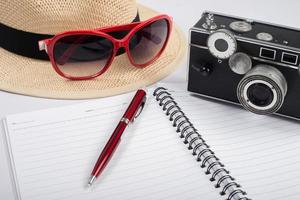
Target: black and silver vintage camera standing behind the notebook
<point>246,62</point>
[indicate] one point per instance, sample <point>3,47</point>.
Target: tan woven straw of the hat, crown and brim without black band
<point>23,75</point>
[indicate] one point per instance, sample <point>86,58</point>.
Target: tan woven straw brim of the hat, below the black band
<point>33,77</point>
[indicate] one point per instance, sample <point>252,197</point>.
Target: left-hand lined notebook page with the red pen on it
<point>53,152</point>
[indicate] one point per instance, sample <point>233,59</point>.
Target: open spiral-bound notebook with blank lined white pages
<point>165,154</point>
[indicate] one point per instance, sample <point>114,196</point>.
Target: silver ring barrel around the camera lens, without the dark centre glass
<point>269,77</point>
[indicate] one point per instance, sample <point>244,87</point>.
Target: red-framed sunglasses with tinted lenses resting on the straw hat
<point>86,54</point>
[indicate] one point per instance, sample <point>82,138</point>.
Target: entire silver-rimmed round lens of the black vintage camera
<point>262,90</point>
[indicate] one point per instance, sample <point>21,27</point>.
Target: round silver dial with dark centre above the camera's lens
<point>222,44</point>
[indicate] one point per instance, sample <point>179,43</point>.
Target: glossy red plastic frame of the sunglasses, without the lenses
<point>117,43</point>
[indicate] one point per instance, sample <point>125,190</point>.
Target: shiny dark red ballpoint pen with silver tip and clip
<point>134,109</point>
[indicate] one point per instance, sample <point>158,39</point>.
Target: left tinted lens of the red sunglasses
<point>82,55</point>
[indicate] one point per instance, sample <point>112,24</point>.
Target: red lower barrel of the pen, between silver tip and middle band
<point>109,149</point>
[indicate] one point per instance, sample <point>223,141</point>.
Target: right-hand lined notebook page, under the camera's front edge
<point>261,152</point>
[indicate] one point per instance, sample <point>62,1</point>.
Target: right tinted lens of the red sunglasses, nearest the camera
<point>149,41</point>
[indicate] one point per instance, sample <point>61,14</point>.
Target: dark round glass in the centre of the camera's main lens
<point>260,94</point>
